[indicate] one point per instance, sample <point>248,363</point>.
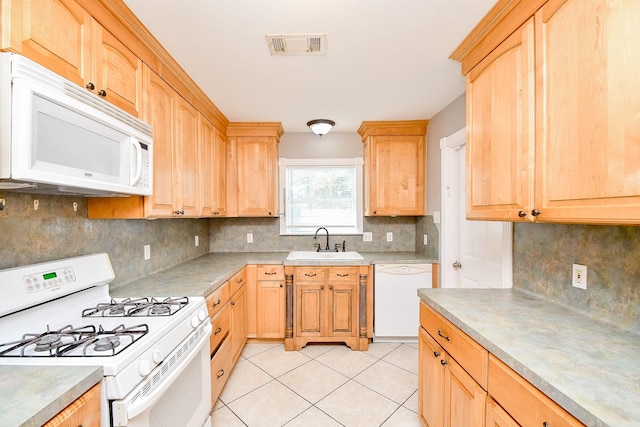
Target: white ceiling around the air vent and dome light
<point>385,59</point>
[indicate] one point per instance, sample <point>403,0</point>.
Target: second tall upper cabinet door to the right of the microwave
<point>187,162</point>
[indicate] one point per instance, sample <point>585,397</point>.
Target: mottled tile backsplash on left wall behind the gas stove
<point>55,230</point>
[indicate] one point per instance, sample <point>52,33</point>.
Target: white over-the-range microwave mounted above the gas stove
<point>58,138</point>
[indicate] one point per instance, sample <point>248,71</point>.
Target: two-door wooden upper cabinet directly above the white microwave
<point>62,36</point>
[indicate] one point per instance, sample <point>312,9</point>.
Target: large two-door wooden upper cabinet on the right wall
<point>553,119</point>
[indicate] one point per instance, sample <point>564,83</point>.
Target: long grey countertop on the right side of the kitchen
<point>589,367</point>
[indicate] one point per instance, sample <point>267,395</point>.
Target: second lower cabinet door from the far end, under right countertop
<point>465,400</point>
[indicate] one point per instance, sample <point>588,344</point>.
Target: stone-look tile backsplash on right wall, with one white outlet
<point>543,255</point>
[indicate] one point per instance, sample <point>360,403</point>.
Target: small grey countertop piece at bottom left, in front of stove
<point>32,395</point>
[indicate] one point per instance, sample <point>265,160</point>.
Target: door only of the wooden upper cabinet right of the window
<point>397,180</point>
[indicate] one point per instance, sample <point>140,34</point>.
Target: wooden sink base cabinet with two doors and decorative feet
<point>326,304</point>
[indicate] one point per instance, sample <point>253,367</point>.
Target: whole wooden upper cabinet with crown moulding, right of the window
<point>394,167</point>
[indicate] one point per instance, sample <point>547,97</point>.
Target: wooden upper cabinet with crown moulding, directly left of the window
<point>252,169</point>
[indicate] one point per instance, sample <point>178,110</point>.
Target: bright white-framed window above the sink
<point>321,193</point>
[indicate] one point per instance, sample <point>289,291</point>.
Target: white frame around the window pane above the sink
<point>358,162</point>
